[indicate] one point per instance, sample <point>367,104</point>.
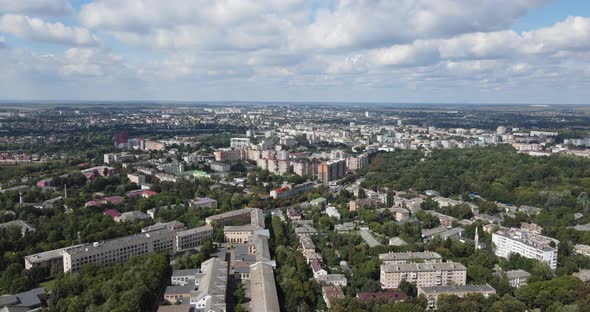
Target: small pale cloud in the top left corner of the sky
<point>37,7</point>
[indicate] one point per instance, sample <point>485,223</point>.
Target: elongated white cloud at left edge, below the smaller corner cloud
<point>39,30</point>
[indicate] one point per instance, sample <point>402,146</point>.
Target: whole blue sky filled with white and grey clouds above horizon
<point>398,51</point>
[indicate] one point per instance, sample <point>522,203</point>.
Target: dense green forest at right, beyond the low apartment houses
<point>496,173</point>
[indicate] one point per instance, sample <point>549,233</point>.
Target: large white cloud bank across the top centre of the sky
<point>266,24</point>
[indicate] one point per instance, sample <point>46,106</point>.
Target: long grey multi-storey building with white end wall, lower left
<point>118,250</point>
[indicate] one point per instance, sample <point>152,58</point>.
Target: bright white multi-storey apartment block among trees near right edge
<point>526,244</point>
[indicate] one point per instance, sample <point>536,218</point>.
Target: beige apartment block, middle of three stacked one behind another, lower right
<point>423,274</point>
